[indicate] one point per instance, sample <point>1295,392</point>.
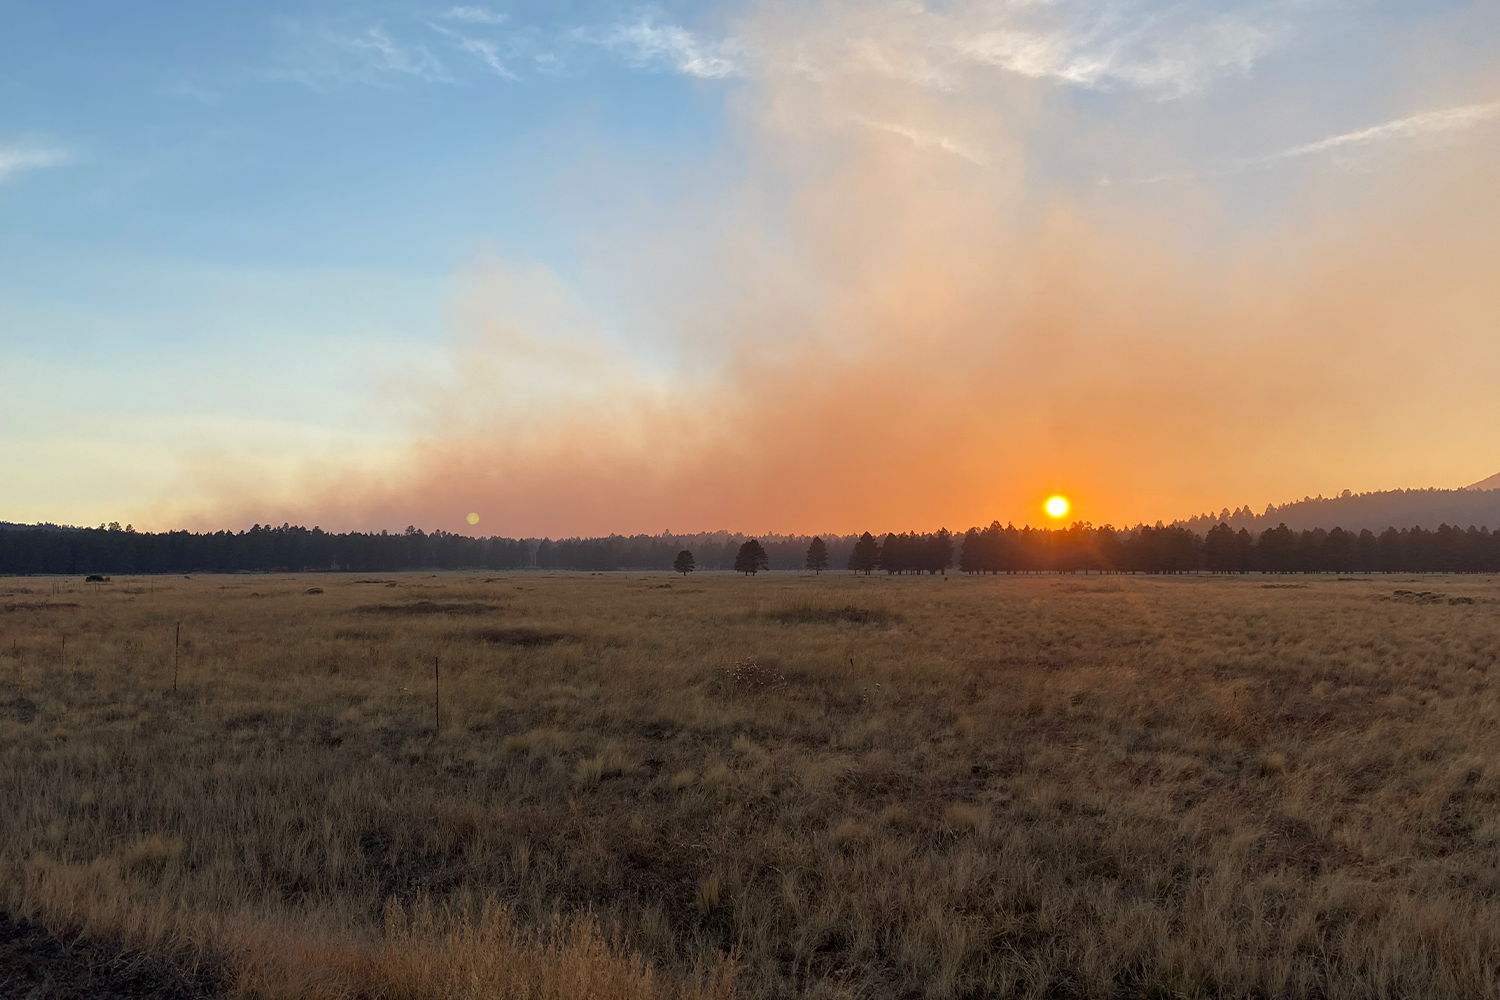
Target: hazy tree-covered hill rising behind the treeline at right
<point>1475,506</point>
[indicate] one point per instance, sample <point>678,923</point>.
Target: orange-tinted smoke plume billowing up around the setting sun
<point>910,305</point>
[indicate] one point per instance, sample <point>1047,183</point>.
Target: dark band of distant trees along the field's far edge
<point>995,549</point>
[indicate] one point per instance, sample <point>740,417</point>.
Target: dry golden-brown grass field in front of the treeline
<point>644,786</point>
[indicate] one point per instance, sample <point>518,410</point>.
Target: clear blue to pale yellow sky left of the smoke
<point>245,214</point>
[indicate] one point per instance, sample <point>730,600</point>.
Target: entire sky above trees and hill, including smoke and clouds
<point>760,266</point>
